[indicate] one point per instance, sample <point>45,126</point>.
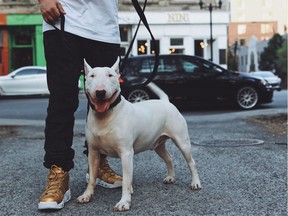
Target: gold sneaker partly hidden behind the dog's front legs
<point>107,177</point>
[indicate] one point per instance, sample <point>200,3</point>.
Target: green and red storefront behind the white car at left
<point>22,41</point>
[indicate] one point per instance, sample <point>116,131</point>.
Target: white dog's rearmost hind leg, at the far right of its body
<point>185,147</point>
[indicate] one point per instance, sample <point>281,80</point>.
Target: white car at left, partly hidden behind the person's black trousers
<point>28,80</point>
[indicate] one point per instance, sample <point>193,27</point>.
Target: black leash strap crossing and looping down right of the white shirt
<point>142,16</point>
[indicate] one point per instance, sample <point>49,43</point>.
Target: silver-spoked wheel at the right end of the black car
<point>247,97</point>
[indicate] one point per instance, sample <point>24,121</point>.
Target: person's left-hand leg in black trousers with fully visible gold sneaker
<point>64,64</point>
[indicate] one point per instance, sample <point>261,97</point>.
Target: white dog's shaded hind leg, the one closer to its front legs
<point>164,154</point>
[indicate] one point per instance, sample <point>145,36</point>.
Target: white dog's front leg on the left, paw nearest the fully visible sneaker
<point>94,162</point>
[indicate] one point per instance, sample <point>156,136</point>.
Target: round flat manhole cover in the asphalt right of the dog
<point>231,143</point>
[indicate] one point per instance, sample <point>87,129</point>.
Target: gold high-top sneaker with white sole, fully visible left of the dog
<point>57,191</point>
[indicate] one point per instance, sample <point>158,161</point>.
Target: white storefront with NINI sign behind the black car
<point>177,32</point>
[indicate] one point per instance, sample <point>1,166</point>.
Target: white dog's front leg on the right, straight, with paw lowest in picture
<point>127,167</point>
